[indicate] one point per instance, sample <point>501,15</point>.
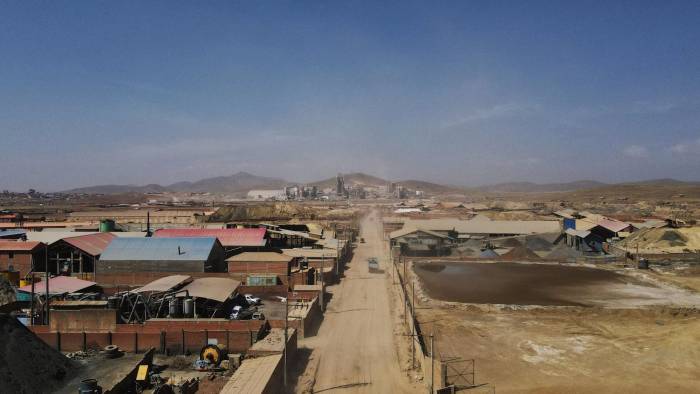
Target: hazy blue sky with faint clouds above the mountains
<point>462,92</point>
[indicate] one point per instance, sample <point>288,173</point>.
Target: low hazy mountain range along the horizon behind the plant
<point>242,182</point>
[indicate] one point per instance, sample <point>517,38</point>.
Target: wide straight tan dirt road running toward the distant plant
<point>355,350</point>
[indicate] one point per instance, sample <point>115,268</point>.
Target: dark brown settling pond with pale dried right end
<point>530,284</point>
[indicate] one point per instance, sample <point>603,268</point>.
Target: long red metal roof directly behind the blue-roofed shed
<point>228,237</point>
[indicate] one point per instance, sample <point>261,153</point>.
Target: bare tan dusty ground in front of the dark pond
<point>521,349</point>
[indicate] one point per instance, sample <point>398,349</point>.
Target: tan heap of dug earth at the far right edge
<point>664,240</point>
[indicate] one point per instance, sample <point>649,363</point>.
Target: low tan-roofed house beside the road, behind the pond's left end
<point>420,242</point>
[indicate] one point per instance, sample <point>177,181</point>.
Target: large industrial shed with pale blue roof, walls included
<point>163,255</point>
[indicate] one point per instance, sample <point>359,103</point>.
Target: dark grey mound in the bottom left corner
<point>27,364</point>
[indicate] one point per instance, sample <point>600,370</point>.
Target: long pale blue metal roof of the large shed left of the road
<point>159,249</point>
